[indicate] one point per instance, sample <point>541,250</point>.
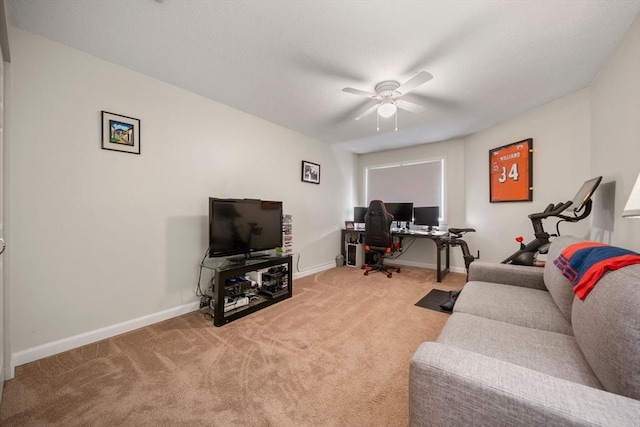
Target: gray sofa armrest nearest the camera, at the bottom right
<point>455,387</point>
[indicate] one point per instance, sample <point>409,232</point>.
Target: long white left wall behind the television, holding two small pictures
<point>102,237</point>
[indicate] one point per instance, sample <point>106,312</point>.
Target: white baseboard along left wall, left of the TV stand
<point>49,349</point>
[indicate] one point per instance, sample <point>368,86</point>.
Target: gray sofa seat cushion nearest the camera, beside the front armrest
<point>543,351</point>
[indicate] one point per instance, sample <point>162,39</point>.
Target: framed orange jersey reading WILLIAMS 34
<point>511,172</point>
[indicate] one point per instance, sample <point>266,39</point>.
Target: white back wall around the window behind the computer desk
<point>423,252</point>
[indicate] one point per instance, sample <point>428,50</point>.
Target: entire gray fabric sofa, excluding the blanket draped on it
<point>520,349</point>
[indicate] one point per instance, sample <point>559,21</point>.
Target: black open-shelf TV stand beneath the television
<point>259,300</point>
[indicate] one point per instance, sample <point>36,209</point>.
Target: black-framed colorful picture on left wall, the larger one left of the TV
<point>120,133</point>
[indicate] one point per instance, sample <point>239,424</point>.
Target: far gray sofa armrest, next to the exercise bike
<point>507,274</point>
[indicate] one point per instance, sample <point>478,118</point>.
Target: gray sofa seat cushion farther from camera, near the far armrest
<point>532,308</point>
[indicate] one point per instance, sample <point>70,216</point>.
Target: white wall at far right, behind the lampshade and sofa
<point>615,130</point>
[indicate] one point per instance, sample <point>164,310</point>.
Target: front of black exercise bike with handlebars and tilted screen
<point>571,211</point>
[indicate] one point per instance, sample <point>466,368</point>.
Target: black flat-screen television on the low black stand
<point>243,226</point>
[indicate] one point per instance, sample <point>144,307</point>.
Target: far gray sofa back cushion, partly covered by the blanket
<point>559,286</point>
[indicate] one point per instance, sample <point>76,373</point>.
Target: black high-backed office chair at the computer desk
<point>378,240</point>
